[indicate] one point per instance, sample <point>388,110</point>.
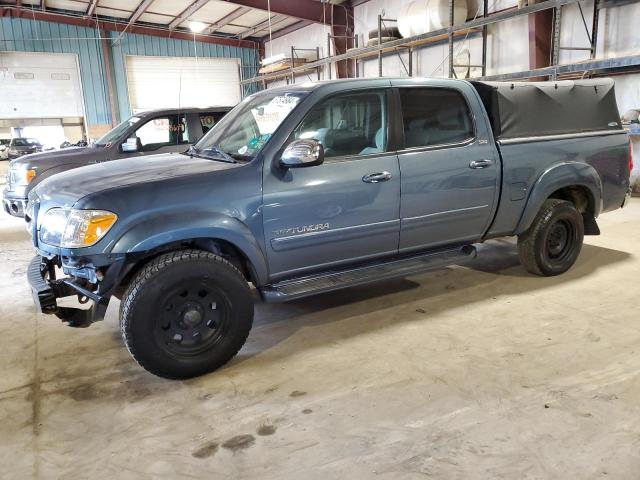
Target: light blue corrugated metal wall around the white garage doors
<point>20,34</point>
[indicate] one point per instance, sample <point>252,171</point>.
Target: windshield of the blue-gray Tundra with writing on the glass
<point>243,132</point>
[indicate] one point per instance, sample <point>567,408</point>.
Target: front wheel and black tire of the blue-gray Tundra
<point>186,313</point>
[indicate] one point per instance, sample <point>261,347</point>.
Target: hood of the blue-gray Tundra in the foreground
<point>66,188</point>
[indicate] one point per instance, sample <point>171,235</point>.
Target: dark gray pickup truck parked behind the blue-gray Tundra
<point>147,133</point>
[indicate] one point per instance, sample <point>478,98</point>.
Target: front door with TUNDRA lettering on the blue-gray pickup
<point>345,210</point>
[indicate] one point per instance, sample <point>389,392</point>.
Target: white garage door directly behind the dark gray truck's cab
<point>174,82</point>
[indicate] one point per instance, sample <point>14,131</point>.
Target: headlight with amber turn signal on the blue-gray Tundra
<point>70,228</point>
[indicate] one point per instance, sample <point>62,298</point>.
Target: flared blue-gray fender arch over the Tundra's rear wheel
<point>558,176</point>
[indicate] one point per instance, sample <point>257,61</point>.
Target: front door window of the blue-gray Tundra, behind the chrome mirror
<point>350,124</point>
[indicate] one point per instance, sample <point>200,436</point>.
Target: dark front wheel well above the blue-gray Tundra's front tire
<point>219,247</point>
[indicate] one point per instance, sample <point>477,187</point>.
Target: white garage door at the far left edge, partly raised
<point>39,85</point>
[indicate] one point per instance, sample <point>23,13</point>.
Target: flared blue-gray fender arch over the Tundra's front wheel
<point>169,227</point>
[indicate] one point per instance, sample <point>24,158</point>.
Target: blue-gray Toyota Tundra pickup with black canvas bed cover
<point>307,189</point>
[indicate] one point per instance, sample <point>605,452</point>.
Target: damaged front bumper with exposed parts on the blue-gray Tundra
<point>88,285</point>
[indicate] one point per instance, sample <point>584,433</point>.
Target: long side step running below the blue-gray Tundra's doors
<point>335,280</point>
